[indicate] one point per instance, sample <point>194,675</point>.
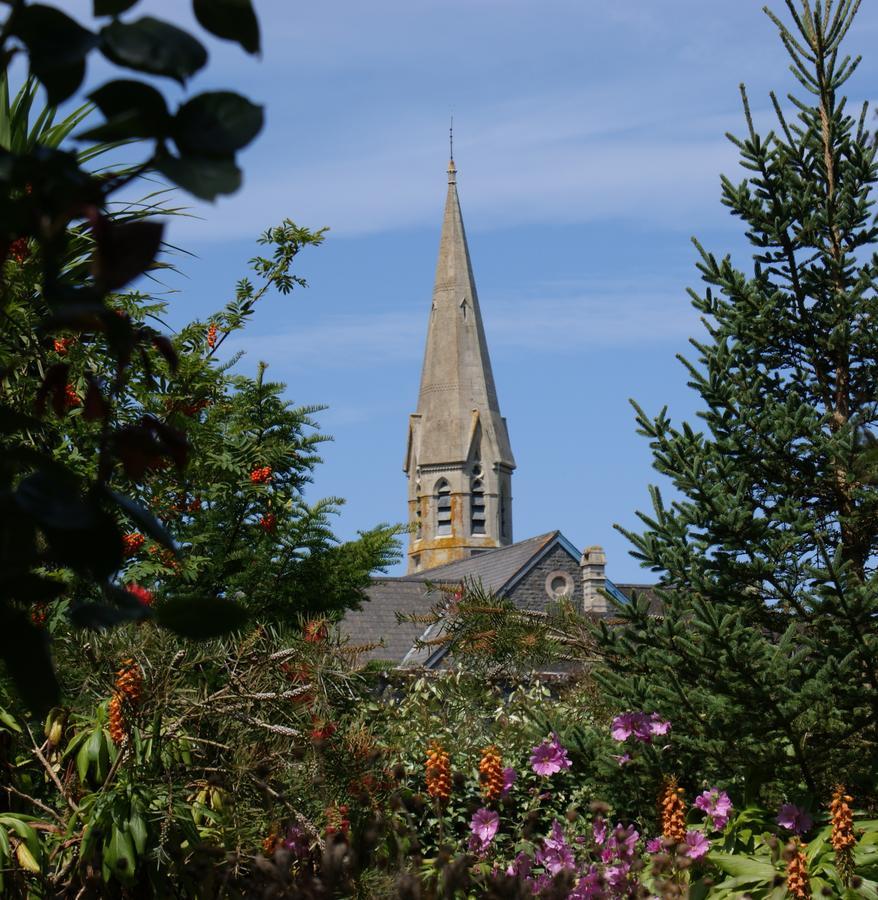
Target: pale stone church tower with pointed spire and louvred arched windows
<point>458,461</point>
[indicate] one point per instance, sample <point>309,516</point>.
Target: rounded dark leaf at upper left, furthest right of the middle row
<point>217,123</point>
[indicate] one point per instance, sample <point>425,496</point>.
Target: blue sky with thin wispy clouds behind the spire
<point>589,138</point>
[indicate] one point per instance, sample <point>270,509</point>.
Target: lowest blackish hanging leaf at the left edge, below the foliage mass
<point>25,649</point>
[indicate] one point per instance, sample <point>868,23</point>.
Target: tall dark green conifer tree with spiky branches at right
<point>766,656</point>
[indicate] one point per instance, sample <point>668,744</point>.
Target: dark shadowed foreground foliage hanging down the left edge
<point>65,258</point>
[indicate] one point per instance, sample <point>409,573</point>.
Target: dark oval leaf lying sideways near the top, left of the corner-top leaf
<point>153,46</point>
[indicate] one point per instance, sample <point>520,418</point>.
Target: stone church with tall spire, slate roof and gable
<point>459,465</point>
